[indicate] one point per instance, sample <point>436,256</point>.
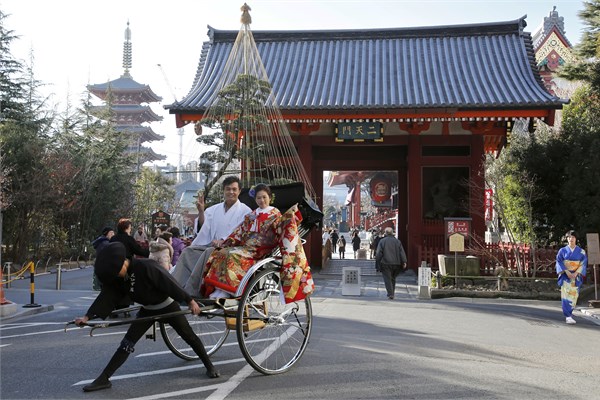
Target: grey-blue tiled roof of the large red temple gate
<point>478,66</point>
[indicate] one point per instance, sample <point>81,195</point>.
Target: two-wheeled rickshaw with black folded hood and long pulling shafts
<point>271,334</point>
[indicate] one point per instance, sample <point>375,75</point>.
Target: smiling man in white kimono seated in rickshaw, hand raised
<point>218,222</point>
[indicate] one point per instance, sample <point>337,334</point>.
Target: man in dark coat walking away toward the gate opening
<point>391,259</point>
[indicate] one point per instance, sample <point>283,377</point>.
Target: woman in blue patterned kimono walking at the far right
<point>571,265</point>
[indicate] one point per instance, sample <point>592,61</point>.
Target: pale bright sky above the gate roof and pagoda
<point>74,43</point>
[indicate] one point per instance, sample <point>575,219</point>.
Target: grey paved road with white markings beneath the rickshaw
<point>362,347</point>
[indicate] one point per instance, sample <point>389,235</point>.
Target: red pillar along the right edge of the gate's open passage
<point>415,203</point>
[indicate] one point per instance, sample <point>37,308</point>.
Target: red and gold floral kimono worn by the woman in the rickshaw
<point>261,231</point>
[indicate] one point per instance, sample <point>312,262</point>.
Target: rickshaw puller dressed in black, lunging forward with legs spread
<point>149,285</point>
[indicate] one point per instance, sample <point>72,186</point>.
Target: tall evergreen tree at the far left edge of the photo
<point>24,138</point>
